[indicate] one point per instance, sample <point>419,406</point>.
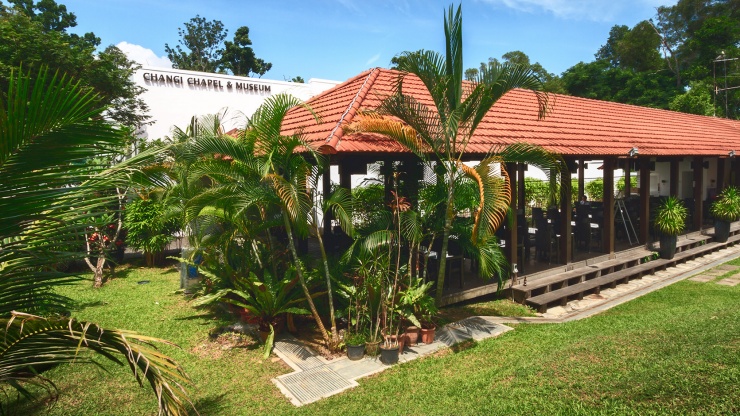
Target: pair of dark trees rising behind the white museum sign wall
<point>202,47</point>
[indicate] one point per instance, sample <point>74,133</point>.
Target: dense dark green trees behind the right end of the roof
<point>669,62</point>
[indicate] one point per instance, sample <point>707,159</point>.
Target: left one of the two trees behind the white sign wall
<point>202,41</point>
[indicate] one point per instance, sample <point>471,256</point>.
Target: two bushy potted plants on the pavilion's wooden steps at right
<point>670,219</point>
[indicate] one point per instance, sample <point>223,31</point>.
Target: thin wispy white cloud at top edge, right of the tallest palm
<point>595,10</point>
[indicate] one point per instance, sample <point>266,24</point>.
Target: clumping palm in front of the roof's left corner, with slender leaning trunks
<point>260,185</point>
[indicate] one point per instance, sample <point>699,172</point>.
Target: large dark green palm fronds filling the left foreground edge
<point>50,129</point>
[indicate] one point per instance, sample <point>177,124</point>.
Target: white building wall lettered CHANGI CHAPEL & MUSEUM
<point>175,95</point>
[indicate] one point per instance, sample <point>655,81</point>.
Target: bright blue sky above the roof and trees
<point>337,39</point>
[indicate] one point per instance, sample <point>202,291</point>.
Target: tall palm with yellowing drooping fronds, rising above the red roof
<point>442,133</point>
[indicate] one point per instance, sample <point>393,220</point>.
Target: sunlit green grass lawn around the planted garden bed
<point>675,351</point>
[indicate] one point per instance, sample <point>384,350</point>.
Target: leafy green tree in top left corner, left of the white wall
<point>32,34</point>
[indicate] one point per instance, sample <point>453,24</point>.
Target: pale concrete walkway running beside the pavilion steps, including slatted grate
<point>315,377</point>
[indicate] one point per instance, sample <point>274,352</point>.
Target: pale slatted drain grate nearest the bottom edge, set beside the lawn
<point>314,384</point>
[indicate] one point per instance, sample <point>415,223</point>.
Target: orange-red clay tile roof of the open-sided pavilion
<point>575,126</point>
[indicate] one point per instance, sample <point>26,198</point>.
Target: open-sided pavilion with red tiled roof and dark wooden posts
<point>670,153</point>
